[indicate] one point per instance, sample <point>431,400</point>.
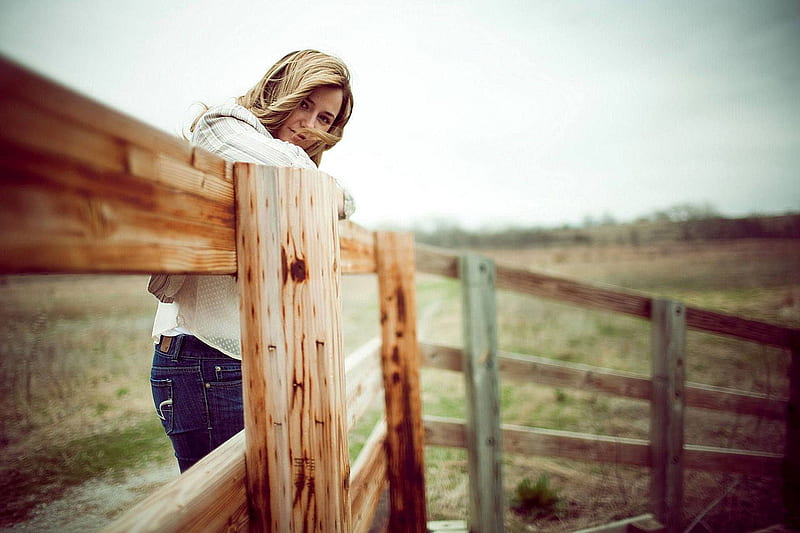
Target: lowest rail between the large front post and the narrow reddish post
<point>368,479</point>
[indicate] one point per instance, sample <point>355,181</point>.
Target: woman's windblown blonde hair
<point>288,82</point>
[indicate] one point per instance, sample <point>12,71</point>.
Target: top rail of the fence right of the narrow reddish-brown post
<point>592,296</point>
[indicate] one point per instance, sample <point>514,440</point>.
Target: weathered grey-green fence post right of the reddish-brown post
<point>483,402</point>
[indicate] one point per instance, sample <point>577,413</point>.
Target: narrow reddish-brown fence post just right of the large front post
<point>401,367</point>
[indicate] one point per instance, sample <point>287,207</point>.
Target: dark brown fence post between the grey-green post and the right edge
<point>667,408</point>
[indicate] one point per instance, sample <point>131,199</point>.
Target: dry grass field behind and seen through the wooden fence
<point>76,402</point>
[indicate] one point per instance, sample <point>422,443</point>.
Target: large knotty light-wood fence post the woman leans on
<point>295,425</point>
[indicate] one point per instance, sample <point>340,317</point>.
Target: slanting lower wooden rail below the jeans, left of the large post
<point>210,496</point>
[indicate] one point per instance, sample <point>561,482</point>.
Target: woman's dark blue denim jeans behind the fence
<point>197,391</point>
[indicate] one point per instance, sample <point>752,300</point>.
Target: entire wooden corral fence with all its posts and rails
<point>86,190</point>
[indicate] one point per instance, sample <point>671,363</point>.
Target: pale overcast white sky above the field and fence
<point>485,113</point>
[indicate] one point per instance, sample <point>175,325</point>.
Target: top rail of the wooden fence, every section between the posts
<point>89,189</point>
